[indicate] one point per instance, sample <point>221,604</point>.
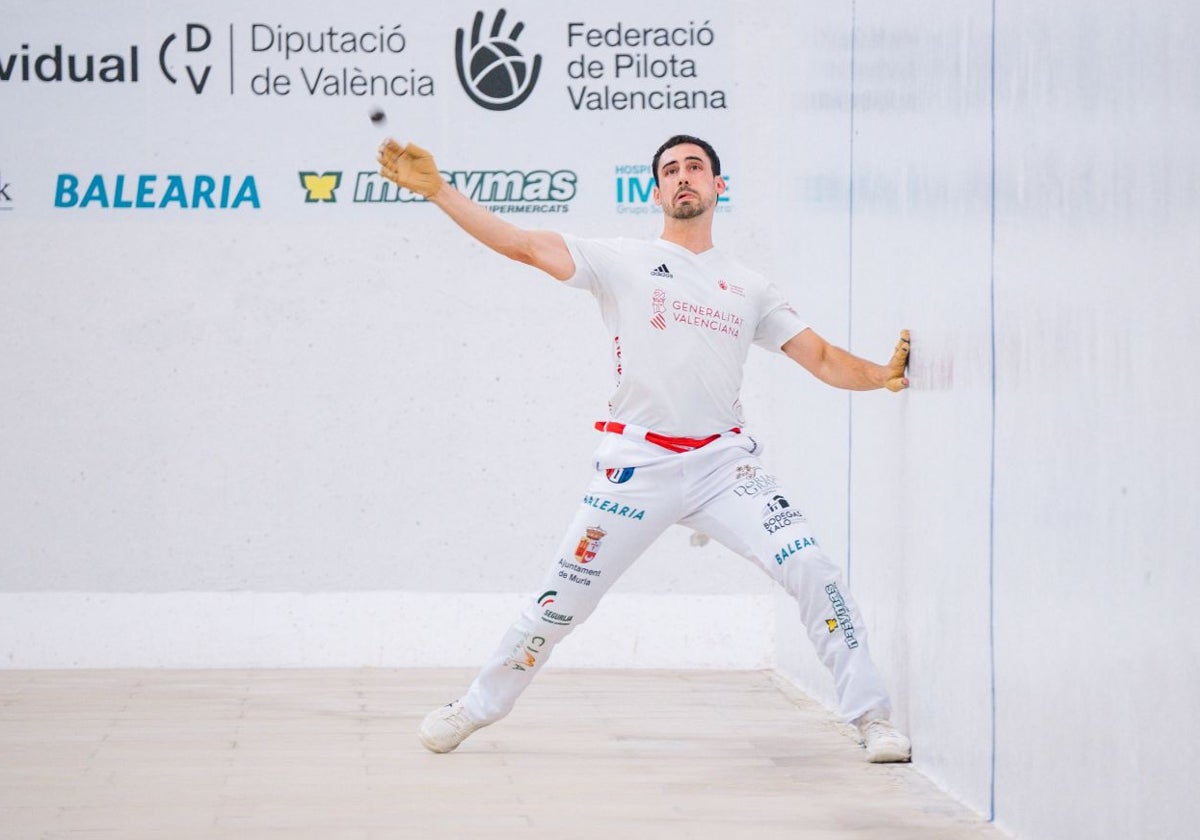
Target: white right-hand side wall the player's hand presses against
<point>1019,537</point>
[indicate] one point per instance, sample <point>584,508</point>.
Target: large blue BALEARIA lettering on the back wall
<point>157,193</point>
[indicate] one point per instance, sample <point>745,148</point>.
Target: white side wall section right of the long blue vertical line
<point>1096,124</point>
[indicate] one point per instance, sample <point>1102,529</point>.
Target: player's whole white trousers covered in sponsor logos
<point>722,490</point>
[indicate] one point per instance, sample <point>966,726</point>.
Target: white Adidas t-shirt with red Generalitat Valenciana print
<point>682,326</point>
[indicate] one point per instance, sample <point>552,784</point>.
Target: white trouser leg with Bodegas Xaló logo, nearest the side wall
<point>748,512</point>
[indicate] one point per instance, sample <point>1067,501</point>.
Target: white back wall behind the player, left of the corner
<point>319,403</point>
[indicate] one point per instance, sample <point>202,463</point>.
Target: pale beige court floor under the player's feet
<point>333,755</point>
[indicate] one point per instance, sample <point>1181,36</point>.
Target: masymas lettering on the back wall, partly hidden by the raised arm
<point>505,190</point>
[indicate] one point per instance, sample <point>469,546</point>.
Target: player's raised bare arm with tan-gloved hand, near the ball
<point>415,169</point>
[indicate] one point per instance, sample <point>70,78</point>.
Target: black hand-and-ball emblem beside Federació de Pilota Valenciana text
<point>494,71</point>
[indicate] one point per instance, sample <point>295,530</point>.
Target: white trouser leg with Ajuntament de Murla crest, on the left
<point>614,526</point>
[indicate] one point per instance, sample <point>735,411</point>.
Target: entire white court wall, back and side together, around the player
<point>303,435</point>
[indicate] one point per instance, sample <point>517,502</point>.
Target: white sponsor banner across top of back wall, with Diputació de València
<point>149,111</point>
